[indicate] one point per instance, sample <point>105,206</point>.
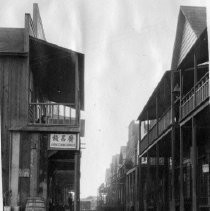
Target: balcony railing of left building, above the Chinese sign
<point>53,114</point>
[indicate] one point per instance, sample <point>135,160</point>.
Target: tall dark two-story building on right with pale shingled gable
<point>174,152</point>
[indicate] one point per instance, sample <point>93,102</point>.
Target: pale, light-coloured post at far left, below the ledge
<point>15,168</point>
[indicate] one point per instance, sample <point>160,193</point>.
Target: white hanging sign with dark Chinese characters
<point>63,142</point>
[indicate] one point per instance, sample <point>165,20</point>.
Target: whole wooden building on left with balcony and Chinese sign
<point>41,95</point>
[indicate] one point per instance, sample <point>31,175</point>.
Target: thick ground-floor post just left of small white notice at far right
<point>194,166</point>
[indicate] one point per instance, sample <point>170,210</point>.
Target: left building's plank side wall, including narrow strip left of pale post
<point>14,86</point>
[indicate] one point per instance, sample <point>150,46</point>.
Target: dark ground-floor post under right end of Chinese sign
<point>77,181</point>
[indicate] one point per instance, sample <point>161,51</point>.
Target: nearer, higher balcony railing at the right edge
<point>195,97</point>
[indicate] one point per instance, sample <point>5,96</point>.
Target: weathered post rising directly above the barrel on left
<point>34,165</point>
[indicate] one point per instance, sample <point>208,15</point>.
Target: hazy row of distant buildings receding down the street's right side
<point>120,190</point>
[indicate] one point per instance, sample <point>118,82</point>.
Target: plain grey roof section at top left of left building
<point>11,40</point>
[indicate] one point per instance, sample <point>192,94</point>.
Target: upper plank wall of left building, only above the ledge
<point>15,90</point>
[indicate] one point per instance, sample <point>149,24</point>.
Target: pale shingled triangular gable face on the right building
<point>188,40</point>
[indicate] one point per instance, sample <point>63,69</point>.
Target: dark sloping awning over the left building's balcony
<point>54,70</point>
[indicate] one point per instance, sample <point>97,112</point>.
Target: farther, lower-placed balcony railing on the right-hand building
<point>162,125</point>
